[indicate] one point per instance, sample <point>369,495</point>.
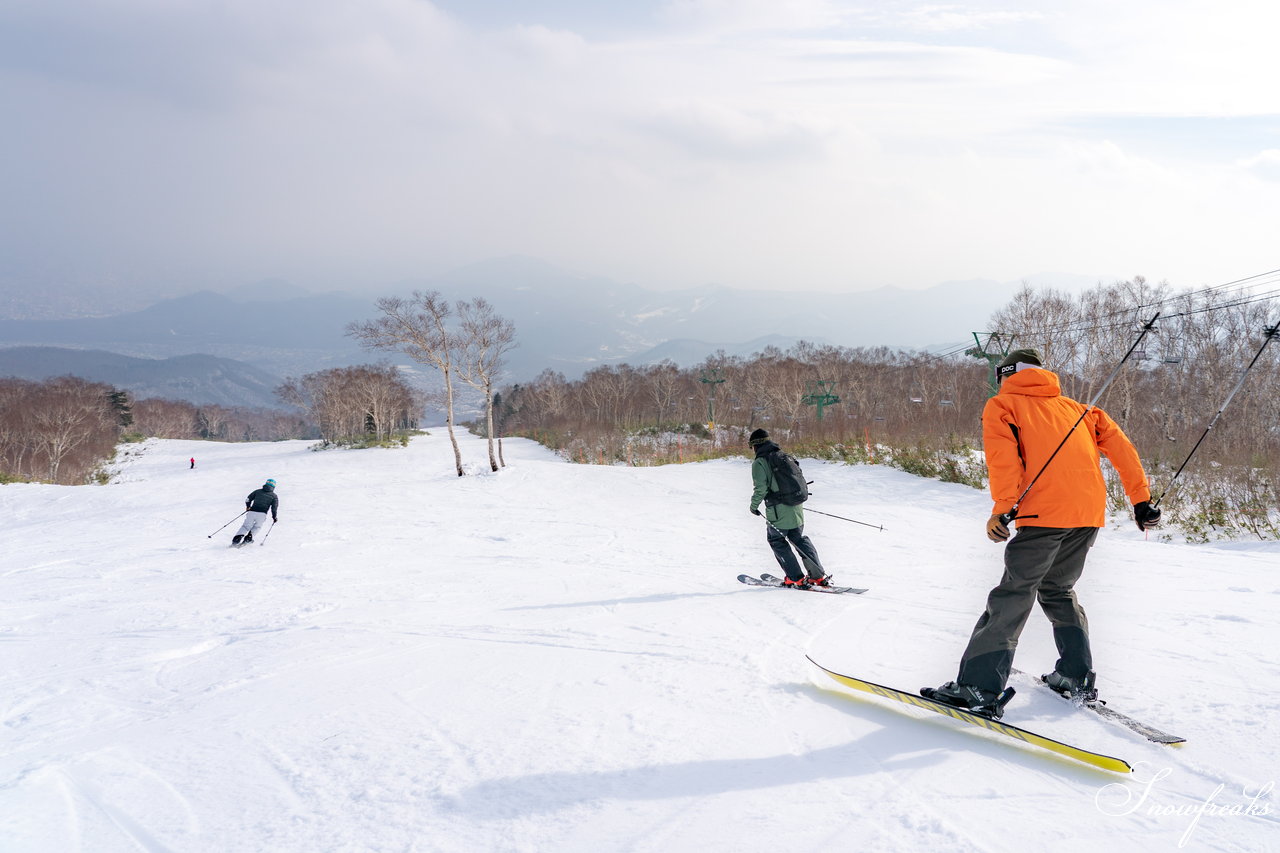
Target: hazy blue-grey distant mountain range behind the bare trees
<point>564,322</point>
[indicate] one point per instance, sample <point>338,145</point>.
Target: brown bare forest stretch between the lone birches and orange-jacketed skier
<point>661,413</point>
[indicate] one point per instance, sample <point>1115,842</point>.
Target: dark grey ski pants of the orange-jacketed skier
<point>1040,564</point>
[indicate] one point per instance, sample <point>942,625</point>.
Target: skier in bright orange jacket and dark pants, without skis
<point>1058,522</point>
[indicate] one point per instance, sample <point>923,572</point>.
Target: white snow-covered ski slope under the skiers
<point>559,658</point>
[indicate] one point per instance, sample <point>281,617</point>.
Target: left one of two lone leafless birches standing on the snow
<point>418,327</point>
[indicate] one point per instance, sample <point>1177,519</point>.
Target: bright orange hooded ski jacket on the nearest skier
<point>1023,426</point>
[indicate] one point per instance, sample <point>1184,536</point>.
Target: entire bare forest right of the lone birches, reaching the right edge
<point>922,412</point>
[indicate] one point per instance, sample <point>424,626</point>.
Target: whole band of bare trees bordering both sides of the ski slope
<point>917,410</point>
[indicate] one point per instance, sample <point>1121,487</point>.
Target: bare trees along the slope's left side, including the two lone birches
<point>65,431</point>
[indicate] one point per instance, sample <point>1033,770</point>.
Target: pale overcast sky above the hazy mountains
<point>764,144</point>
